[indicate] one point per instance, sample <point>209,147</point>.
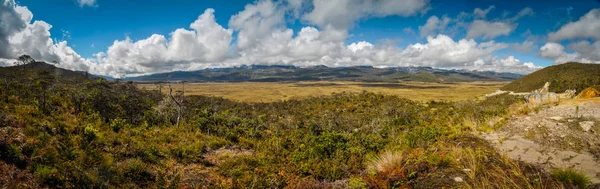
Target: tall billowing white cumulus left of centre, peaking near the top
<point>207,42</point>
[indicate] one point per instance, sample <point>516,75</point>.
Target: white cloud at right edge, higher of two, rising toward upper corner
<point>588,26</point>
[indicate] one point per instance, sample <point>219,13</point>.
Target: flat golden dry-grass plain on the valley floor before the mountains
<point>274,91</point>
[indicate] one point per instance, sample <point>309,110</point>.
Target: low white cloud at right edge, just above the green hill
<point>584,52</point>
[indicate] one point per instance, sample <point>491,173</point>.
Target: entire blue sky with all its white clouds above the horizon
<point>136,37</point>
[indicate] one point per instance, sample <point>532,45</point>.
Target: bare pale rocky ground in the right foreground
<point>566,135</point>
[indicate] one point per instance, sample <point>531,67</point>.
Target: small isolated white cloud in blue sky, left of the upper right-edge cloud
<point>489,30</point>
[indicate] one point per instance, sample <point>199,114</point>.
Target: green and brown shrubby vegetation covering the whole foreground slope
<point>89,133</point>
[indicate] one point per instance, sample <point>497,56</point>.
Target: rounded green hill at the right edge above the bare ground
<point>562,77</point>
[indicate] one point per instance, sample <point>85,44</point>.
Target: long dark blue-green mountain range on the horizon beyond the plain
<point>283,73</point>
